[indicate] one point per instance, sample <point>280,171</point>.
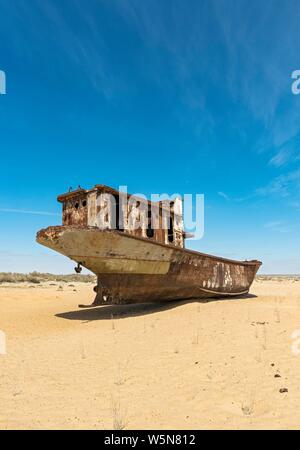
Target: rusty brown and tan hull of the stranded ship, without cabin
<point>132,270</point>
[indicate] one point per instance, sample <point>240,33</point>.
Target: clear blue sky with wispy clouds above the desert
<point>161,96</point>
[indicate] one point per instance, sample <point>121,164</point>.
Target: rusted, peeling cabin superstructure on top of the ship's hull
<point>100,207</point>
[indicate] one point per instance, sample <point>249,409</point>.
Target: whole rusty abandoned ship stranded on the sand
<point>140,264</point>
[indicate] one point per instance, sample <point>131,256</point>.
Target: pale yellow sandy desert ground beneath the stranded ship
<point>217,364</point>
